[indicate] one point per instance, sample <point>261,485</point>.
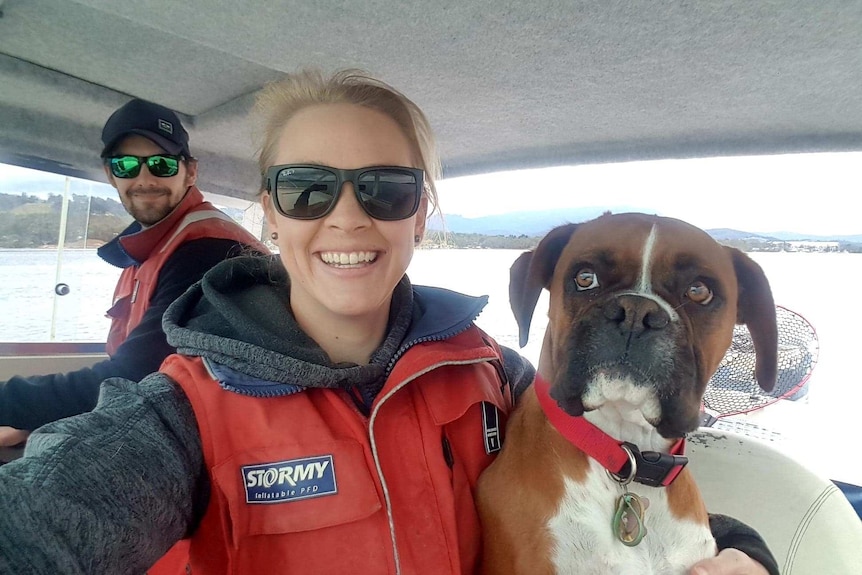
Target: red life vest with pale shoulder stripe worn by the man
<point>192,219</point>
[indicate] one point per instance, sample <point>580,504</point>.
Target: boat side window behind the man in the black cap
<point>54,287</point>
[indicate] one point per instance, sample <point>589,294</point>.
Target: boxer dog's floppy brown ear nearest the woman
<point>533,271</point>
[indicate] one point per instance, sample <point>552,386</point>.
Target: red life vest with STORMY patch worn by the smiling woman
<point>305,483</point>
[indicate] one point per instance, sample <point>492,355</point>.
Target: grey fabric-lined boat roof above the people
<point>506,84</point>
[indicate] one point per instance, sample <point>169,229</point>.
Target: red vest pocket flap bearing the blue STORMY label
<point>293,488</point>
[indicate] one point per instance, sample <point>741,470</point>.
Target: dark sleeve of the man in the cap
<point>29,402</point>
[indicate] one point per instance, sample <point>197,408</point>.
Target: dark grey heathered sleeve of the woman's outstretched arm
<point>108,491</point>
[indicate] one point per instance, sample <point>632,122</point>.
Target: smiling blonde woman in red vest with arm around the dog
<point>324,415</point>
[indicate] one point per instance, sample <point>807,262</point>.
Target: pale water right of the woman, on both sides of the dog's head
<point>820,430</point>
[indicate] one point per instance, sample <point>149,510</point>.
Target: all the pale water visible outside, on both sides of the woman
<point>820,286</point>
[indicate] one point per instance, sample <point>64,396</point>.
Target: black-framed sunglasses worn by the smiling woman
<point>304,192</point>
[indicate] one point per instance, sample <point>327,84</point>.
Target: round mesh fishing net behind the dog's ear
<point>733,389</point>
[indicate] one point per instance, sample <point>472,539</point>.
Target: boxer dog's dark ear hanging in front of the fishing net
<point>756,310</point>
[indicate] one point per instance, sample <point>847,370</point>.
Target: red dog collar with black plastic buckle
<point>651,467</point>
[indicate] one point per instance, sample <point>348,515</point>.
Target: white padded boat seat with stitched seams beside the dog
<point>805,519</point>
